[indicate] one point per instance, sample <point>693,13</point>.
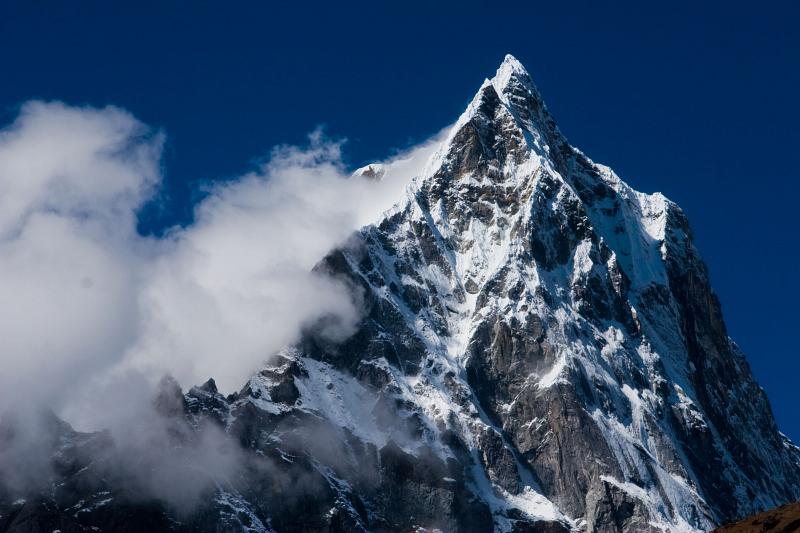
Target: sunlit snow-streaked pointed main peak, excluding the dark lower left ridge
<point>553,331</point>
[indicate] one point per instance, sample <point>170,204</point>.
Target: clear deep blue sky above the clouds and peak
<point>698,100</point>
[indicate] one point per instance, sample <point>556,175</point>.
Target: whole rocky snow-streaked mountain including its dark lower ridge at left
<point>540,350</point>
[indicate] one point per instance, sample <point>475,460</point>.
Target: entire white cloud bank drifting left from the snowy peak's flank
<point>91,309</point>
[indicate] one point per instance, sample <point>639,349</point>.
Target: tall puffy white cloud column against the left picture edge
<point>70,180</point>
